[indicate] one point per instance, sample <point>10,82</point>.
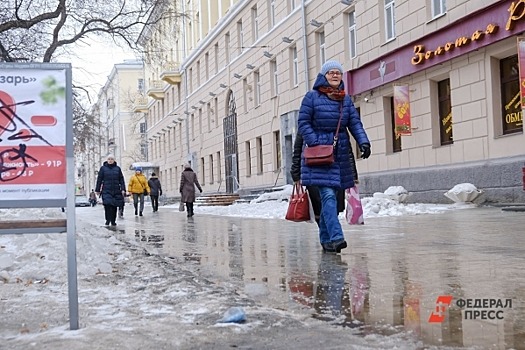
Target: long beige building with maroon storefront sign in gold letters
<point>224,85</point>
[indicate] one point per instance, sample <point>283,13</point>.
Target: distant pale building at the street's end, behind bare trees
<point>121,131</point>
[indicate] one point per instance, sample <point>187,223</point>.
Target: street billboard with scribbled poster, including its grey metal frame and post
<point>37,165</point>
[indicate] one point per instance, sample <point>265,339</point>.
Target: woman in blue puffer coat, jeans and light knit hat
<point>319,115</point>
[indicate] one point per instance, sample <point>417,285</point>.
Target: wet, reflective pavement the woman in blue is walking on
<point>387,281</point>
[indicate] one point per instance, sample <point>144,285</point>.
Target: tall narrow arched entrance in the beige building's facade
<point>231,164</point>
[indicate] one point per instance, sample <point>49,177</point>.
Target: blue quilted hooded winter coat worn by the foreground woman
<point>317,123</point>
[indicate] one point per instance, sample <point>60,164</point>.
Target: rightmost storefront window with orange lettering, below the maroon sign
<point>512,118</point>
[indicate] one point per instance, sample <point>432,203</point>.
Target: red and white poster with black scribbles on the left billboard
<point>32,134</point>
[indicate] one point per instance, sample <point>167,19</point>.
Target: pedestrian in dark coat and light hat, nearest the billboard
<point>110,181</point>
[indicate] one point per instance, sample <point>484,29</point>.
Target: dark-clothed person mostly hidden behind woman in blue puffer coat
<point>313,191</point>
